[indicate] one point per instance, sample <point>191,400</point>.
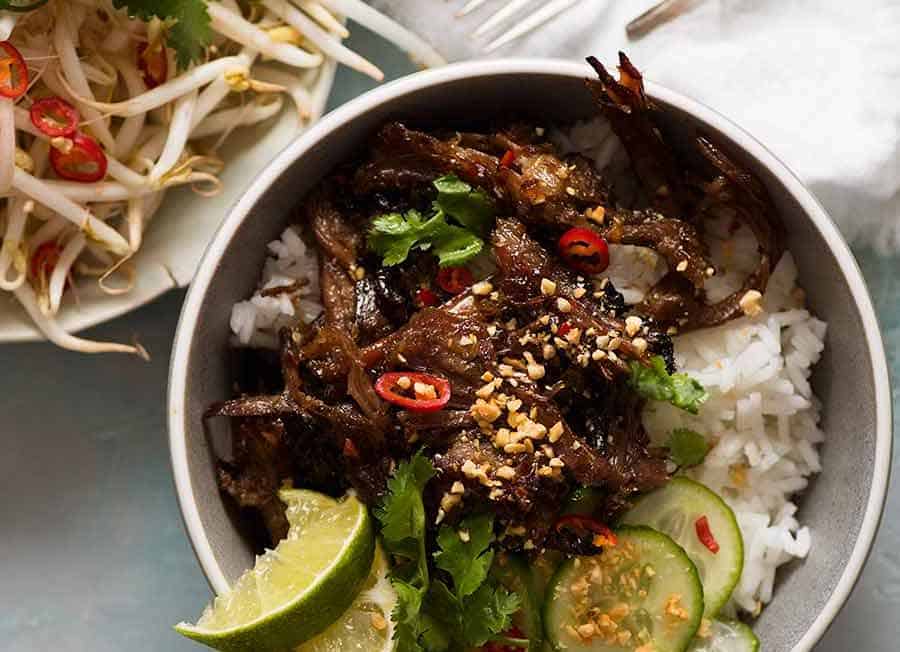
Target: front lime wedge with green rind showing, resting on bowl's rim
<point>300,588</point>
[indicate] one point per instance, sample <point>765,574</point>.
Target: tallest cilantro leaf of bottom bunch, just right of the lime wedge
<point>402,513</point>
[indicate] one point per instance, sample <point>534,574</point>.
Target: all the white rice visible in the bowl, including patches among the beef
<point>762,418</point>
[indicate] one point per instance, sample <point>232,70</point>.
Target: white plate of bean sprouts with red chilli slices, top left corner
<point>125,136</point>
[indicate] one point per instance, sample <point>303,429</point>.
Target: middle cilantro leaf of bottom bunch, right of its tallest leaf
<point>467,562</point>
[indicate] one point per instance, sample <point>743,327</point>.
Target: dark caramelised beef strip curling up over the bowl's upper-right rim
<point>695,195</point>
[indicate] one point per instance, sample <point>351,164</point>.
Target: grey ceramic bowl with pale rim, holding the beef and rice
<point>842,506</point>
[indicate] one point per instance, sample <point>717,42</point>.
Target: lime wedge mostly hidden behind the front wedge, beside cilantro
<point>366,626</point>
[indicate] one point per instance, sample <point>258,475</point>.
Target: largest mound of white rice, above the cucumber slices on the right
<point>762,422</point>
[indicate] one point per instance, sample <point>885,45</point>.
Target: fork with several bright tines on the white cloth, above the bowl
<point>502,23</point>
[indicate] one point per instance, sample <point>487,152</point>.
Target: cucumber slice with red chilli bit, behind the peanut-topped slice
<point>674,510</point>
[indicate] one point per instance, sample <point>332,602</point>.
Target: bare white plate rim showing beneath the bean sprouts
<point>184,225</point>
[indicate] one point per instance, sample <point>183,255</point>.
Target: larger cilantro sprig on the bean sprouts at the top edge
<point>189,31</point>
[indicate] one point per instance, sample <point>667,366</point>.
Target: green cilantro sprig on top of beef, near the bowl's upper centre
<point>394,235</point>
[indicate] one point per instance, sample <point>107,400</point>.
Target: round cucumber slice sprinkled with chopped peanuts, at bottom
<point>644,593</point>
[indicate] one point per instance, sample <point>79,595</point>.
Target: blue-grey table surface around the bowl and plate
<point>92,551</point>
